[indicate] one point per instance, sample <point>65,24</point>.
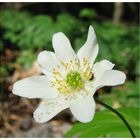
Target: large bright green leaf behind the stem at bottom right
<point>107,124</point>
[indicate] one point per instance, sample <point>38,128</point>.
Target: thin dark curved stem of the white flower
<point>119,115</point>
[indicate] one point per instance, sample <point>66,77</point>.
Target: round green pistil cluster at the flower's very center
<point>74,79</point>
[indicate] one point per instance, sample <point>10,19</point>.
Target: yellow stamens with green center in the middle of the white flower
<point>73,82</point>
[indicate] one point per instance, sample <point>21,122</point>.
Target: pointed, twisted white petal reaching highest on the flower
<point>90,49</point>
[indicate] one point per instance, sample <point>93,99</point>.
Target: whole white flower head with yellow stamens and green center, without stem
<point>70,80</point>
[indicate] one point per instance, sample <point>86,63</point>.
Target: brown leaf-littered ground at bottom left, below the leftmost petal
<point>16,120</point>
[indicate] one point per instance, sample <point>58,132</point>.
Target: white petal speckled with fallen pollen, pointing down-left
<point>49,108</point>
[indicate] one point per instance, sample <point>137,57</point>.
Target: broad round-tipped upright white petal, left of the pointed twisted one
<point>62,47</point>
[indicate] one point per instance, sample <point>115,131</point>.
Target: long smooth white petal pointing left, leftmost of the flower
<point>35,87</point>
